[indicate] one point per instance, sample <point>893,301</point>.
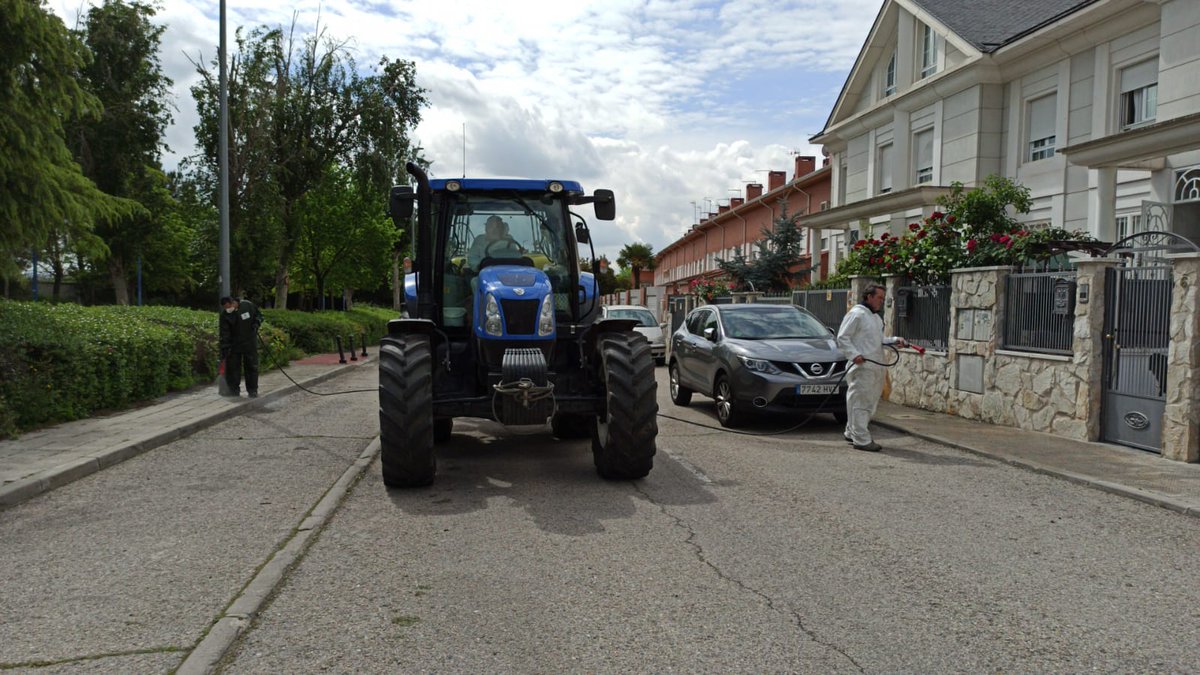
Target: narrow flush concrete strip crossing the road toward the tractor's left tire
<point>207,656</point>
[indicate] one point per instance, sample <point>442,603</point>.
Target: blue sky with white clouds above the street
<point>673,105</point>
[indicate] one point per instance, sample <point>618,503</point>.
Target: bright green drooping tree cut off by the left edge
<point>46,193</point>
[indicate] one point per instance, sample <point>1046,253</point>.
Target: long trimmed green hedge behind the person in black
<point>67,362</point>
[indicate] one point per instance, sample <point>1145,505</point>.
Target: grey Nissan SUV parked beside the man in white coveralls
<point>758,359</point>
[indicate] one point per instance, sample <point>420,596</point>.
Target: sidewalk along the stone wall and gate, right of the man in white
<point>1115,469</point>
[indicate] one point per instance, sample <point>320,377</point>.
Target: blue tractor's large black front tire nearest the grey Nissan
<point>623,437</point>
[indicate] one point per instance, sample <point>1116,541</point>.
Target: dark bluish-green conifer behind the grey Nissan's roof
<point>781,252</point>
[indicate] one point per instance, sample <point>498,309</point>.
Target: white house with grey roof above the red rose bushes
<point>1093,105</point>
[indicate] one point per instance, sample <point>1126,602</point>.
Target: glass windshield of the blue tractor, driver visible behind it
<point>487,229</point>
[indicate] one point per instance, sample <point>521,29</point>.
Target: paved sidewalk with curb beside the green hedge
<point>43,461</point>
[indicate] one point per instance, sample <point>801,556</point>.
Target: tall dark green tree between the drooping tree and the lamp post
<point>121,151</point>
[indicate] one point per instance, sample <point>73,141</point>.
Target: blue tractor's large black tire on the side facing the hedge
<point>406,411</point>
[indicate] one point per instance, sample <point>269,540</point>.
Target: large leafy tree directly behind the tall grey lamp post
<point>303,107</point>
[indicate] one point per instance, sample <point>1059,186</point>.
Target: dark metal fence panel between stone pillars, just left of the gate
<point>1040,313</point>
